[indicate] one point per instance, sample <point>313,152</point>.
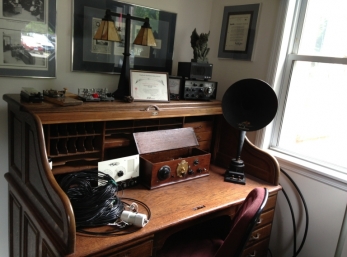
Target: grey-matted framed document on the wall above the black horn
<point>238,31</point>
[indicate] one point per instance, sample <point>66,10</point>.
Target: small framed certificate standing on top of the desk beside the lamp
<point>149,86</point>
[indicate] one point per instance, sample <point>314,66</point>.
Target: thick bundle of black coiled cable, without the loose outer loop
<point>93,197</point>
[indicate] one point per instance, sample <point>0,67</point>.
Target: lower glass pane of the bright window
<point>315,119</point>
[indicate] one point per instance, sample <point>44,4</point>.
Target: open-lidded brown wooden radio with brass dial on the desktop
<point>170,156</point>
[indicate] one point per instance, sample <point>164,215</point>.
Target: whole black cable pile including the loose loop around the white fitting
<point>93,196</point>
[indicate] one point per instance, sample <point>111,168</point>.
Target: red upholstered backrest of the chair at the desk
<point>243,223</point>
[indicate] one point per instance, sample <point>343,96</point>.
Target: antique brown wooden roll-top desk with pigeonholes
<point>41,219</point>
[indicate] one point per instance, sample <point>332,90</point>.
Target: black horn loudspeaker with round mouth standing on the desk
<point>247,105</point>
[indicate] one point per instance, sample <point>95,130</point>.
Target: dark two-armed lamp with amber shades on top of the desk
<point>108,32</point>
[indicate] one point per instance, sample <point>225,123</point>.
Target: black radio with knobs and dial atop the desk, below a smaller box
<point>197,89</point>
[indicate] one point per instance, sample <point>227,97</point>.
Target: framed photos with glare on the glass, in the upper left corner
<point>28,38</point>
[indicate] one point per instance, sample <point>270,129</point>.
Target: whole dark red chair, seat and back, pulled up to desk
<point>220,237</point>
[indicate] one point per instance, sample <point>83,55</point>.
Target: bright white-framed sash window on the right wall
<point>311,83</point>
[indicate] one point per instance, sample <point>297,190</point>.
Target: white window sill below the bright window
<point>325,175</point>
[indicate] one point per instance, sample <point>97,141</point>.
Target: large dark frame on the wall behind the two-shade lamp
<point>89,55</point>
